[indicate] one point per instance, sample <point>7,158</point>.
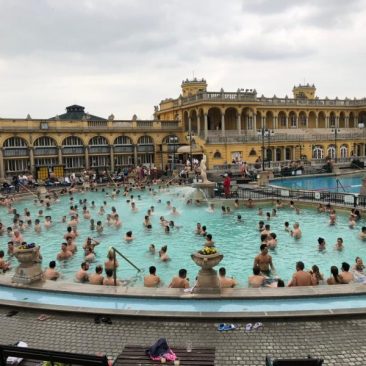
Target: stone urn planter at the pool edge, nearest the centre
<point>207,280</point>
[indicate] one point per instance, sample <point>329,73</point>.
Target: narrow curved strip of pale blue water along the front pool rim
<point>176,305</point>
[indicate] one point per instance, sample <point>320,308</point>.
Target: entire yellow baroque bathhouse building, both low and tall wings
<point>225,126</point>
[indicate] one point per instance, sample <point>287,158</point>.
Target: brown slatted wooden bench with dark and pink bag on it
<point>135,355</point>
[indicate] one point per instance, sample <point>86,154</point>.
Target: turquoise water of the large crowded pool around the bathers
<point>239,242</point>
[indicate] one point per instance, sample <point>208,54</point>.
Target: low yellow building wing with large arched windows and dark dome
<point>80,141</point>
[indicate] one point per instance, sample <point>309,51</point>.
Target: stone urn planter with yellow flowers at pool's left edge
<point>29,269</point>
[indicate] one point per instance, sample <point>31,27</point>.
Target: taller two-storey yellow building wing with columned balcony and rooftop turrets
<point>243,125</point>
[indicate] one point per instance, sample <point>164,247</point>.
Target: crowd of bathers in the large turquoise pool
<point>264,272</point>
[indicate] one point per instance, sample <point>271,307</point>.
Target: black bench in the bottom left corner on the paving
<point>33,356</point>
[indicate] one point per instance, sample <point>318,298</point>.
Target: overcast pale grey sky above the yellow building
<point>125,56</point>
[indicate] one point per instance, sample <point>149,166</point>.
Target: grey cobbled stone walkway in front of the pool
<point>340,341</point>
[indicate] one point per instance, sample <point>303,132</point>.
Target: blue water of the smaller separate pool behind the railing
<point>350,184</point>
